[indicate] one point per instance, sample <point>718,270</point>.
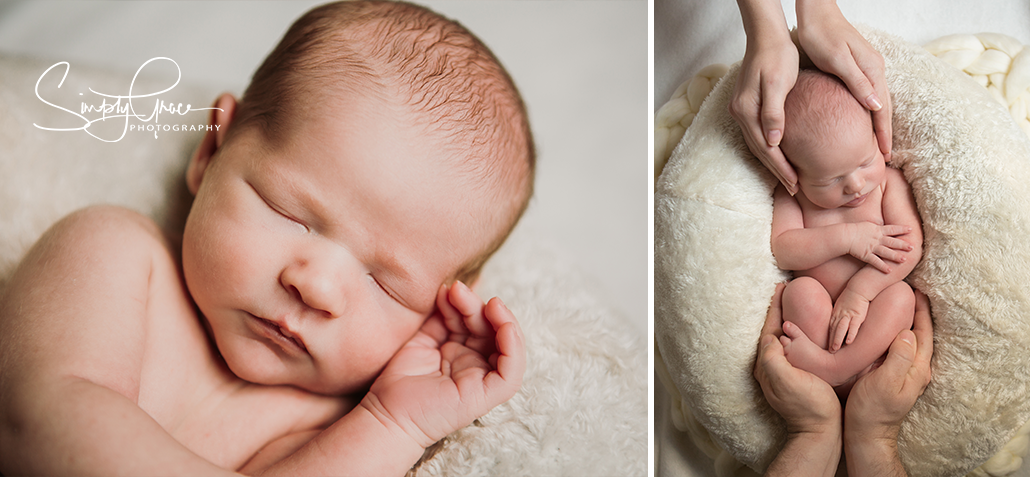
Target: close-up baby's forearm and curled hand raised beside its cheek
<point>467,360</point>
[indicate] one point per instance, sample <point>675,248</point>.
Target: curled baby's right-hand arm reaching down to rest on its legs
<point>850,310</point>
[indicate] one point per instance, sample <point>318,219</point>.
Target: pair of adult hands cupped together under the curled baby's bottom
<point>875,410</point>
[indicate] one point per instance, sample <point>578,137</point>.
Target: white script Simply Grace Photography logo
<point>122,110</point>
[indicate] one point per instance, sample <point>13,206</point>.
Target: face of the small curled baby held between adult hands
<point>840,172</point>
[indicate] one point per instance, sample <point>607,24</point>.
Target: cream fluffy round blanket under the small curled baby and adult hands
<point>970,167</point>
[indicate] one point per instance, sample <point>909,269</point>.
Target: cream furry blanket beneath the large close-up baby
<point>583,405</point>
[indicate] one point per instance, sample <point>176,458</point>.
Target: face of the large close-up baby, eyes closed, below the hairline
<point>316,263</point>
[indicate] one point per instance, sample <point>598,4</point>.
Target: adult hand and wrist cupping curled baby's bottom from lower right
<point>882,399</point>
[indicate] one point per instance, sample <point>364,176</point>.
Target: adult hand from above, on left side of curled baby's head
<point>768,74</point>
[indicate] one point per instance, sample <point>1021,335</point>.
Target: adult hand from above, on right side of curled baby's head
<point>835,47</point>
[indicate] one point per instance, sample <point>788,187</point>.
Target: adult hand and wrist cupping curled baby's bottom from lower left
<point>806,402</point>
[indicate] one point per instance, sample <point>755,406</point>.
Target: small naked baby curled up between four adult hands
<point>851,235</point>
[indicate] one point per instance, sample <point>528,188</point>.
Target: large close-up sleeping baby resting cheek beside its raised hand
<point>379,158</point>
